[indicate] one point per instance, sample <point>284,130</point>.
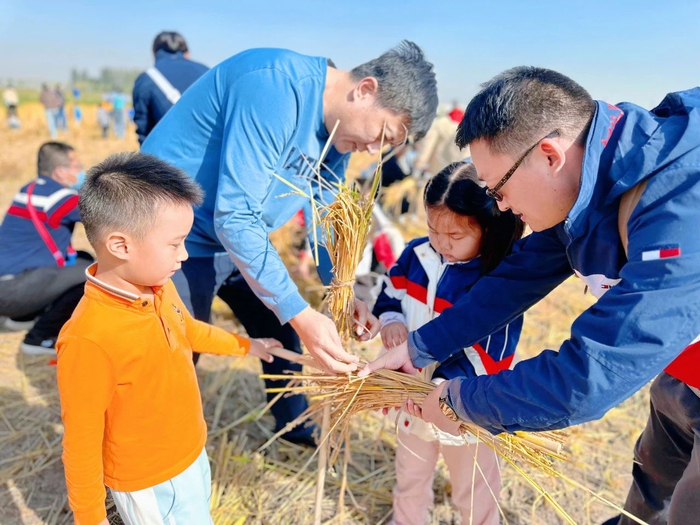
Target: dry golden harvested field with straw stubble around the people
<point>270,487</point>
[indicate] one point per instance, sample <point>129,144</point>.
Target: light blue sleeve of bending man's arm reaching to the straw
<point>260,114</point>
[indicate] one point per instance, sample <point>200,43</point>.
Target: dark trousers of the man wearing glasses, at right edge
<point>666,485</point>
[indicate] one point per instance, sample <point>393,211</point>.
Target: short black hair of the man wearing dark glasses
<point>524,104</point>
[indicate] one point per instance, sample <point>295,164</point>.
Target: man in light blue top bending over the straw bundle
<point>248,128</point>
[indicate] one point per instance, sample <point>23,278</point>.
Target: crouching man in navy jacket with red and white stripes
<point>41,275</point>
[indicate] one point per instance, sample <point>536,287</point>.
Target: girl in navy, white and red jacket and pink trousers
<point>468,237</point>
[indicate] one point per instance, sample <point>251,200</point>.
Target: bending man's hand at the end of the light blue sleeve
<point>321,338</point>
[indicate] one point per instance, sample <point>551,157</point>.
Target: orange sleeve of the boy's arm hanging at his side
<point>86,384</point>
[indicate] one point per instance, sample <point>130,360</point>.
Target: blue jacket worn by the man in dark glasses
<point>648,310</point>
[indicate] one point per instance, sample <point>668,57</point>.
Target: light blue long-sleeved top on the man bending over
<point>253,118</point>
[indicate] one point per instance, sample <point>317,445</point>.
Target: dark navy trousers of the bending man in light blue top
<point>204,277</point>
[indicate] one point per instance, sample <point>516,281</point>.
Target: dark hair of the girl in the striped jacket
<point>457,189</point>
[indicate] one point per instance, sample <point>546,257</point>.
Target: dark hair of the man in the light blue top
<point>407,85</point>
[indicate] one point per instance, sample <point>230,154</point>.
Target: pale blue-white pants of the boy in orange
<point>182,500</point>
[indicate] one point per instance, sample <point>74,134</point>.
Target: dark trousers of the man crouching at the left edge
<point>49,293</point>
